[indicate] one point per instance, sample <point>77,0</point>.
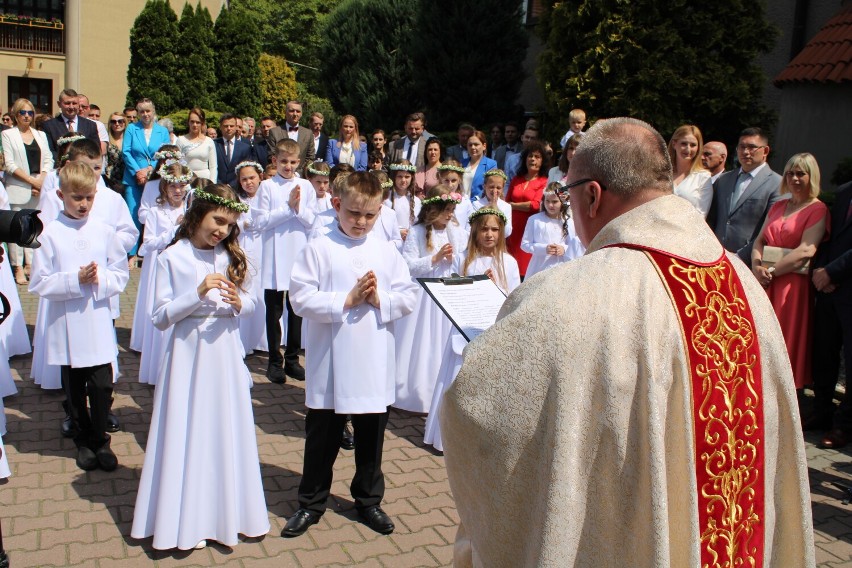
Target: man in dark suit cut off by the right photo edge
<point>832,277</point>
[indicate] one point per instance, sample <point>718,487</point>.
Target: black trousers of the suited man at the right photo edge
<point>832,333</point>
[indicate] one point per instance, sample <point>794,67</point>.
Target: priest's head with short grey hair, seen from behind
<point>621,164</point>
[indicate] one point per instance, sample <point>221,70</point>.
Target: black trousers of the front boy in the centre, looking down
<point>322,444</point>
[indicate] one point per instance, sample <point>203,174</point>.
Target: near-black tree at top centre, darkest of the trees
<point>469,73</point>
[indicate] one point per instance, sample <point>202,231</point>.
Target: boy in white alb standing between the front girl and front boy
<point>284,217</point>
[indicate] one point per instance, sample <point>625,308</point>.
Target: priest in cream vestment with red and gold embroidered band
<point>661,427</point>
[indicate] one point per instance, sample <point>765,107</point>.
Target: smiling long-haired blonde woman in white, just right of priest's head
<point>691,180</point>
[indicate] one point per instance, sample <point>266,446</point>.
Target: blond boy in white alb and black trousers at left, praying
<point>79,267</point>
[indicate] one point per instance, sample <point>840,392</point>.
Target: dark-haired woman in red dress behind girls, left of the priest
<point>525,191</point>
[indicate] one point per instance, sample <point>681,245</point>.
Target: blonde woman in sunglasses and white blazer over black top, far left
<point>28,160</point>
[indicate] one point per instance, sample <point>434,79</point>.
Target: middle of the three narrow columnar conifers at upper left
<point>195,73</point>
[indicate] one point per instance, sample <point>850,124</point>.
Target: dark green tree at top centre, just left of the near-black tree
<point>367,69</point>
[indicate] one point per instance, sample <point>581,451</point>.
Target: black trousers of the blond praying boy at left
<point>89,394</point>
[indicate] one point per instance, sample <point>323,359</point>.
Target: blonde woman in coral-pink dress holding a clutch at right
<point>798,225</point>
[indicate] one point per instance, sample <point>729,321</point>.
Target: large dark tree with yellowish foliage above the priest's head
<point>666,63</point>
